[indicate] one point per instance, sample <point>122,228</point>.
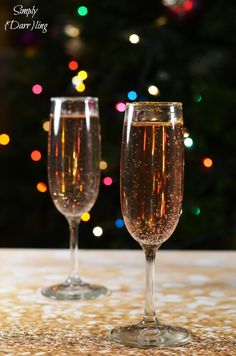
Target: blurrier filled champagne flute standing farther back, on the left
<point>74,177</point>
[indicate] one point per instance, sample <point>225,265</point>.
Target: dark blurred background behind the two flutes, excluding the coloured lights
<point>187,49</point>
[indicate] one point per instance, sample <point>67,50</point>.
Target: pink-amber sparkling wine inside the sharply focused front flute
<point>152,179</point>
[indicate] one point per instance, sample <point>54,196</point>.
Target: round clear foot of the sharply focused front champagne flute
<point>150,335</point>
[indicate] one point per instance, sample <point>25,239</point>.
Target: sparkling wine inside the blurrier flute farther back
<point>74,155</point>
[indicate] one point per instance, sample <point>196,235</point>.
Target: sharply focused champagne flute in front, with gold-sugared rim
<point>152,167</point>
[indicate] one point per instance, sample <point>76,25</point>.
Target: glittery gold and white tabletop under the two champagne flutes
<point>196,290</point>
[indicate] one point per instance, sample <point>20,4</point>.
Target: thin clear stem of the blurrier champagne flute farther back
<point>73,224</point>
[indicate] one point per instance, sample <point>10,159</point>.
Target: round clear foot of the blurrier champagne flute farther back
<point>75,289</point>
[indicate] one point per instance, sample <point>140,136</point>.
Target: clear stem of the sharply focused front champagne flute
<point>150,310</point>
